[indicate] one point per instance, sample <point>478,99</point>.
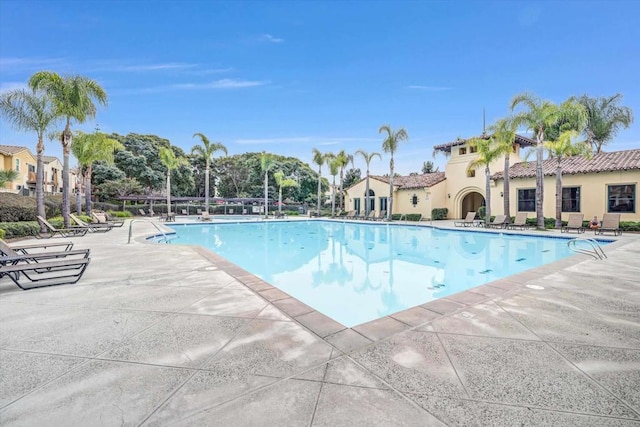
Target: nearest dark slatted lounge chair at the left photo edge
<point>29,271</point>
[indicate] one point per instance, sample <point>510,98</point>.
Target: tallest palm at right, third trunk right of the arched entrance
<point>539,116</point>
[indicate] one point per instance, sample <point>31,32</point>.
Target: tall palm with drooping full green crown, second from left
<point>73,99</point>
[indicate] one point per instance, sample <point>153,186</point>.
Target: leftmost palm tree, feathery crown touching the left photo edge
<point>33,112</point>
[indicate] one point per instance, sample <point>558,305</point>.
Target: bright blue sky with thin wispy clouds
<point>290,76</point>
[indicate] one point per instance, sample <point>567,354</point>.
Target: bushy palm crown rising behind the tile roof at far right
<point>604,119</point>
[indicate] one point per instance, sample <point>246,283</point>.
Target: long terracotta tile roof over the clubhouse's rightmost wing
<point>602,162</point>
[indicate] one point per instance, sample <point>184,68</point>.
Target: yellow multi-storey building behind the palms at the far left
<point>24,162</point>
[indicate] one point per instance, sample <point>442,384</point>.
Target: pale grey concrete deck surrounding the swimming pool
<point>167,334</point>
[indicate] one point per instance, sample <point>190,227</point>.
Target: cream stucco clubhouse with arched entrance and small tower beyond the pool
<point>608,182</point>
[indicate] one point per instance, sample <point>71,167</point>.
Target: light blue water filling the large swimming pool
<point>357,272</point>
